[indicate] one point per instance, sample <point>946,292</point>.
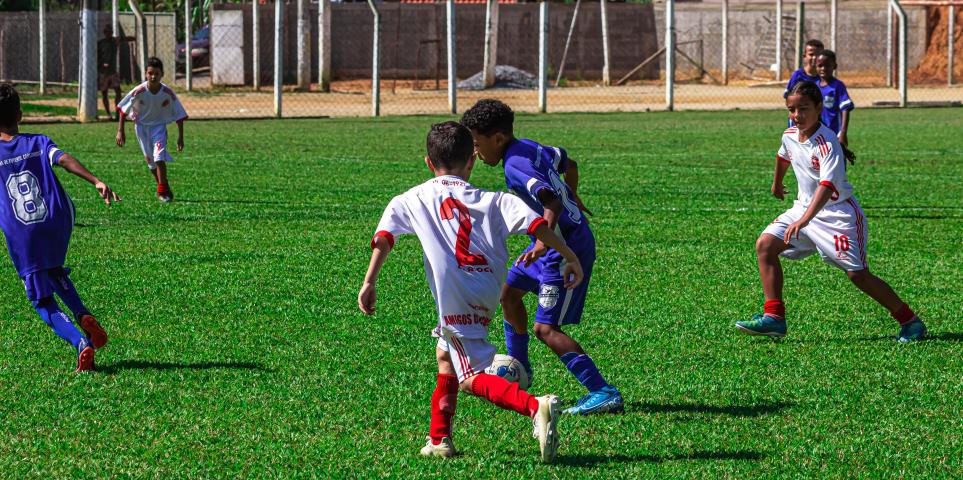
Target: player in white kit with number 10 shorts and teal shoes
<point>825,218</point>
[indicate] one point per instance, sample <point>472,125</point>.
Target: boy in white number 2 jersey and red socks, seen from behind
<point>462,230</point>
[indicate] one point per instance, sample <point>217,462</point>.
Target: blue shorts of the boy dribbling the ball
<point>557,305</point>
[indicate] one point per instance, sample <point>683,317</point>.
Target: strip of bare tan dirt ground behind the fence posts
<point>355,101</point>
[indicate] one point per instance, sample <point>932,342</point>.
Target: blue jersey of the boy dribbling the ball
<point>531,168</point>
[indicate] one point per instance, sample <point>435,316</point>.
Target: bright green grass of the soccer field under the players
<point>237,348</point>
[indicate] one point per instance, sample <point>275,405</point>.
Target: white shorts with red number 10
<point>838,233</point>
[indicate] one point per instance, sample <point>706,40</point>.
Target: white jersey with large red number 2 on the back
<point>462,230</point>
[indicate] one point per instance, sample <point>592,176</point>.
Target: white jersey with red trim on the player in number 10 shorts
<point>817,161</point>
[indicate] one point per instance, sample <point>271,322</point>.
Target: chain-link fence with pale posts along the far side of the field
<point>304,58</point>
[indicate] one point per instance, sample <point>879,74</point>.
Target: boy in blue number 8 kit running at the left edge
<point>37,222</point>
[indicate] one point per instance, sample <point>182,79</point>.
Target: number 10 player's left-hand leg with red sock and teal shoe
<point>772,322</point>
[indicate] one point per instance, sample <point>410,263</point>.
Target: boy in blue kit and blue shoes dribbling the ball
<point>533,172</point>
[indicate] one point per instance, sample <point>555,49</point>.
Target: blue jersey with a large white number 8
<point>38,216</point>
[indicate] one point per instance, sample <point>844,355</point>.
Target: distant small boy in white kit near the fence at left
<point>152,105</point>
